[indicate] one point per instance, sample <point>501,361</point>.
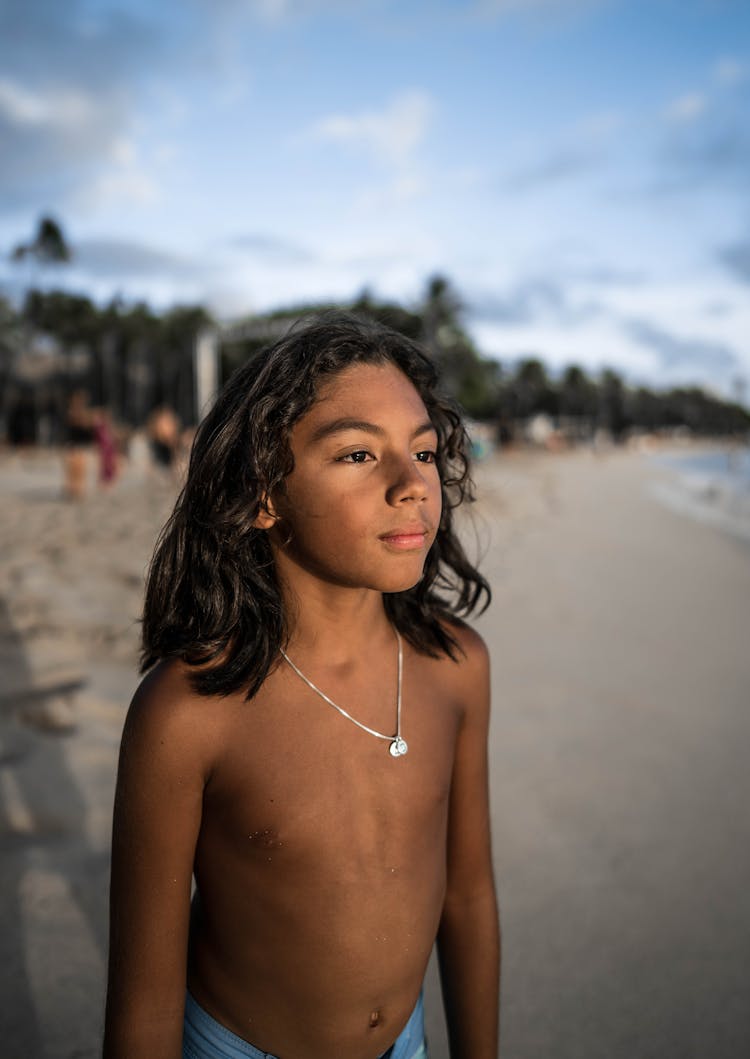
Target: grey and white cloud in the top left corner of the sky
<point>69,97</point>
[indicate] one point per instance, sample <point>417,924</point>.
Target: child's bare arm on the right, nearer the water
<point>469,939</point>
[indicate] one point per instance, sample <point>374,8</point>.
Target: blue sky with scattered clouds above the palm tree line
<point>579,169</point>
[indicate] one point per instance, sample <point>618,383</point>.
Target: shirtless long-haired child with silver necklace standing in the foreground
<point>311,739</point>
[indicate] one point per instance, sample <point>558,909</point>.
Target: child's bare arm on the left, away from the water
<point>157,818</point>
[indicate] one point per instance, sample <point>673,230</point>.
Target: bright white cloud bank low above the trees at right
<point>659,334</point>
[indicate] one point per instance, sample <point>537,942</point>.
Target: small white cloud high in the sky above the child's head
<point>392,135</point>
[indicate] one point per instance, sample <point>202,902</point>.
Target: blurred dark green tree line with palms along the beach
<point>132,358</point>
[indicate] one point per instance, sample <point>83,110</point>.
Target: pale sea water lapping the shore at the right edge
<point>712,487</point>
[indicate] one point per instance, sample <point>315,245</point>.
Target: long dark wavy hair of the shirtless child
<point>212,595</point>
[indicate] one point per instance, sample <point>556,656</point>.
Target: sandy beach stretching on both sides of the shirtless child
<point>621,657</point>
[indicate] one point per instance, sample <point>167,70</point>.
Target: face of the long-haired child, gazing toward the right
<point>363,506</point>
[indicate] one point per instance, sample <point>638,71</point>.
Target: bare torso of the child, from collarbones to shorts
<point>320,864</point>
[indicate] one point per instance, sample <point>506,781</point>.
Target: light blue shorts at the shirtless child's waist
<point>205,1038</point>
